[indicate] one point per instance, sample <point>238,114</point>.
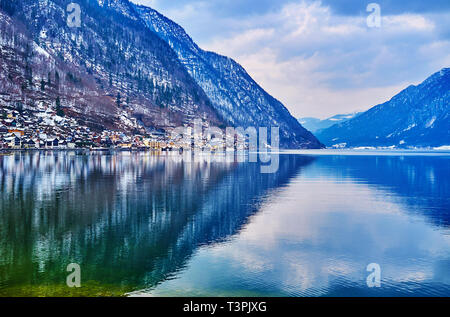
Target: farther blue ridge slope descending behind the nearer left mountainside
<point>234,94</point>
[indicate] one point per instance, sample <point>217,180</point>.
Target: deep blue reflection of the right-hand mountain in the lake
<point>409,177</point>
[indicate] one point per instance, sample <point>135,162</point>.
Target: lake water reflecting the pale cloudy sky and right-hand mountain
<point>319,233</point>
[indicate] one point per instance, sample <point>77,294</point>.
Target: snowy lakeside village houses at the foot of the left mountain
<point>47,130</point>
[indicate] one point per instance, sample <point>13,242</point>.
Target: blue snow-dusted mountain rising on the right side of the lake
<point>419,116</point>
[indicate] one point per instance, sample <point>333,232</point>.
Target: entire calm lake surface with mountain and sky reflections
<point>162,225</point>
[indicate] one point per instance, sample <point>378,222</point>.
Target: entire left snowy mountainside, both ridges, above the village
<point>129,68</point>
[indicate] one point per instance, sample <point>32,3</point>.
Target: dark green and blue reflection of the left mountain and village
<point>129,220</point>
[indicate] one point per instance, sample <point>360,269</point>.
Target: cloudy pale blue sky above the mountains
<point>322,58</point>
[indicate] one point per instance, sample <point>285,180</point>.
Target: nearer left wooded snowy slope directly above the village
<point>110,72</point>
